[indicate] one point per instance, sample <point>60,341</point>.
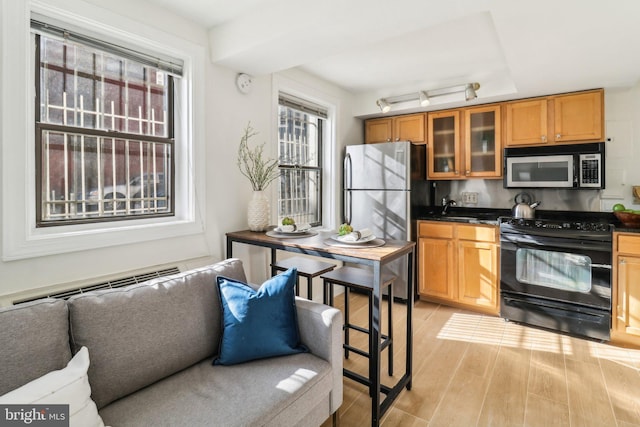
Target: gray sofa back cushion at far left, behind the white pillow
<point>35,341</point>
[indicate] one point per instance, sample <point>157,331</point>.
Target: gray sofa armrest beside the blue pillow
<point>321,331</point>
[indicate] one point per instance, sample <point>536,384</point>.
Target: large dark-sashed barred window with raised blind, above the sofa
<point>104,129</point>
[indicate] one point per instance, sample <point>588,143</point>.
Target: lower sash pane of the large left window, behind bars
<point>85,176</point>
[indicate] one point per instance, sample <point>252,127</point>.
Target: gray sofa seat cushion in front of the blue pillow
<point>268,392</point>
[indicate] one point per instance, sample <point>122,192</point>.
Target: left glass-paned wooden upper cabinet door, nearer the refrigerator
<point>444,145</point>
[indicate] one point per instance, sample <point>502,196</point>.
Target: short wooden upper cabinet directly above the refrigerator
<point>410,127</point>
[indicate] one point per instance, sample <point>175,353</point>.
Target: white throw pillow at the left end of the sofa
<point>65,386</point>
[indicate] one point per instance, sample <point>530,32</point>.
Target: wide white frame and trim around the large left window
<point>21,238</point>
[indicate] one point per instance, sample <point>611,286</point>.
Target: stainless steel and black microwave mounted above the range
<point>578,166</point>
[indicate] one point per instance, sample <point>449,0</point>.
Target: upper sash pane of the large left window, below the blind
<point>85,88</point>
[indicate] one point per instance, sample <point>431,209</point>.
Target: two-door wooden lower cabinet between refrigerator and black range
<point>458,264</point>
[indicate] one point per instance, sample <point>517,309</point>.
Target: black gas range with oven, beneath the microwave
<point>556,272</point>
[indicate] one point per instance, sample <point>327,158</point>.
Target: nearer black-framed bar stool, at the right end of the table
<point>362,280</point>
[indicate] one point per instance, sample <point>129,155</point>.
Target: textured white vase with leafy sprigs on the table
<point>260,171</point>
